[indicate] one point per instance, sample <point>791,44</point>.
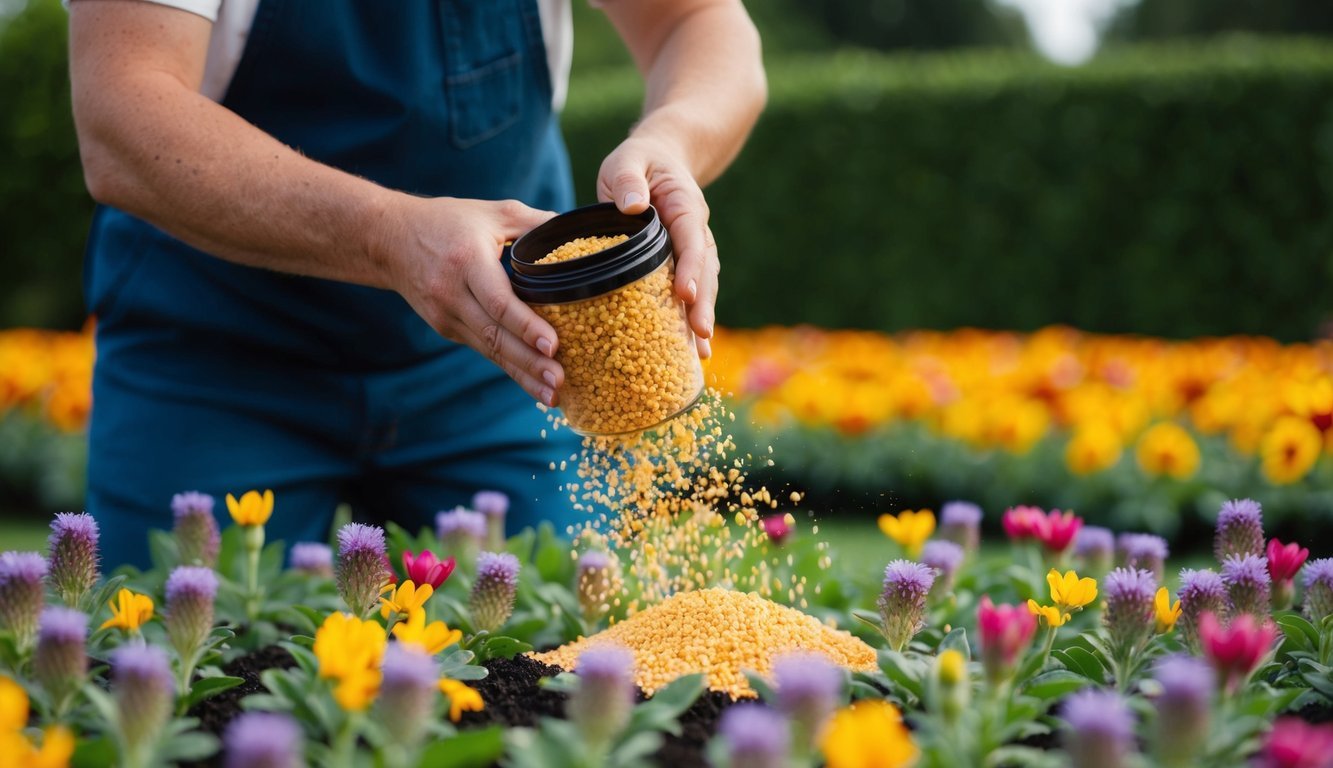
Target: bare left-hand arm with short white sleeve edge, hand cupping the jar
<point>155,147</point>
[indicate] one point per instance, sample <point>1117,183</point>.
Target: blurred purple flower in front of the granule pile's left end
<point>601,706</point>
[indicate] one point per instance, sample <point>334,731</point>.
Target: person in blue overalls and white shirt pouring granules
<point>297,258</point>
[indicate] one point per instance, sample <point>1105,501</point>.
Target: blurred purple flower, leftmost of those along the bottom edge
<point>141,679</point>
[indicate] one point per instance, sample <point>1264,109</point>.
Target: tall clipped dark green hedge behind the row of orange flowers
<point>1174,190</point>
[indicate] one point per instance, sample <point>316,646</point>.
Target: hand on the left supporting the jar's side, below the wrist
<point>445,258</point>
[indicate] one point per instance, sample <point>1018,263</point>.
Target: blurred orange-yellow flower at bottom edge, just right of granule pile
<point>870,734</point>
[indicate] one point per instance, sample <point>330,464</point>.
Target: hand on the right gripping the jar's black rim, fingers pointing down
<point>645,170</point>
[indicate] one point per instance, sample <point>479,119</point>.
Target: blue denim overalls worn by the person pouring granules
<point>219,378</point>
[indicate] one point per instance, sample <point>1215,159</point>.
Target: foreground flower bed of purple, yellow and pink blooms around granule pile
<point>1068,647</point>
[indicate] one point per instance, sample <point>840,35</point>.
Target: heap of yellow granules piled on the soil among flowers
<point>720,634</point>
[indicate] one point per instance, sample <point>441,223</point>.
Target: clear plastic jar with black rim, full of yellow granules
<point>626,343</point>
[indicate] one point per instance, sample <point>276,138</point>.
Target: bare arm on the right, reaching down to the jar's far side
<point>706,89</point>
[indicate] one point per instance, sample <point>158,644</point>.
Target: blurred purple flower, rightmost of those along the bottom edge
<point>1183,709</point>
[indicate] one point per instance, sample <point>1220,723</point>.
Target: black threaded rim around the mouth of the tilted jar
<point>602,273</point>
